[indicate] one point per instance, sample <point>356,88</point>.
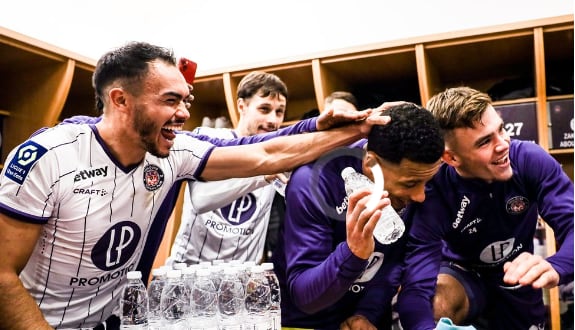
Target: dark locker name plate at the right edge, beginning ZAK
<point>560,114</point>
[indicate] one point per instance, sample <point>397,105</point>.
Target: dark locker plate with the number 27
<point>520,120</point>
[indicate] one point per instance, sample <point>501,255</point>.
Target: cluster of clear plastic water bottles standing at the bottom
<point>223,296</point>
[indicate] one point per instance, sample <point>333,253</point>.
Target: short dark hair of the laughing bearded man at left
<point>129,63</point>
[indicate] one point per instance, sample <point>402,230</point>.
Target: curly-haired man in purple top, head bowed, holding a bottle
<point>332,272</point>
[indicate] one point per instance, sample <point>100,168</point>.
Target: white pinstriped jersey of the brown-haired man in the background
<point>236,231</point>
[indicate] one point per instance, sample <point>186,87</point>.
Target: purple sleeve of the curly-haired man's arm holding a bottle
<point>319,271</point>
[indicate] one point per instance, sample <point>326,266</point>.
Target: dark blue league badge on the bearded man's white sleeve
<point>22,162</point>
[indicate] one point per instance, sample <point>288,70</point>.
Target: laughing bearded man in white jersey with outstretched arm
<point>80,205</point>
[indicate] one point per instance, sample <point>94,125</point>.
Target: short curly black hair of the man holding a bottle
<point>413,133</point>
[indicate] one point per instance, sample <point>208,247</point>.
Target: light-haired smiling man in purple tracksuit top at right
<point>470,247</point>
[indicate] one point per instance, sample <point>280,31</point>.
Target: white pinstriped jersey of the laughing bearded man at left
<point>95,214</point>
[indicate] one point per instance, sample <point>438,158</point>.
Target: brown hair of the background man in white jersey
<point>261,83</point>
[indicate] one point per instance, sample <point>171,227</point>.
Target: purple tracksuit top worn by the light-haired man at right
<point>483,225</point>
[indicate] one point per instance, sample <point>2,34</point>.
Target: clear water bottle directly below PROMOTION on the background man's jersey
<point>231,296</point>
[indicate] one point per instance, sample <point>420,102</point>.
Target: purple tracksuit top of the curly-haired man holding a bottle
<point>322,282</point>
